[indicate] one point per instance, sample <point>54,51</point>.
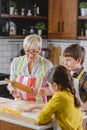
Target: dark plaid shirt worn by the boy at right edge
<point>82,83</point>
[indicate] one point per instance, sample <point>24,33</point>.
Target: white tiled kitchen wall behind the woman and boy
<point>10,48</point>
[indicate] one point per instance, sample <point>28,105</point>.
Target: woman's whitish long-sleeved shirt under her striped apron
<point>37,70</point>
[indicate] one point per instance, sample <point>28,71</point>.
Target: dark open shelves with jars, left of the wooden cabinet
<point>22,20</point>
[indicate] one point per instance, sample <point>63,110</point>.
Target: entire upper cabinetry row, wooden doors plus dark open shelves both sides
<point>62,20</point>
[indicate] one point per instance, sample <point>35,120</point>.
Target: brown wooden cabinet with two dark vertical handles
<point>62,19</point>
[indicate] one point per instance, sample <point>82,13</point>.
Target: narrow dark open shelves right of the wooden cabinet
<point>82,20</point>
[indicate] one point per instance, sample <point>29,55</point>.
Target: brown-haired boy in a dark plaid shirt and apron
<point>74,56</point>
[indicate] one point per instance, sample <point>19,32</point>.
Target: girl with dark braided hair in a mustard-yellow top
<point>63,105</point>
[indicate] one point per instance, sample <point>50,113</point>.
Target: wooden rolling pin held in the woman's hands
<point>20,86</point>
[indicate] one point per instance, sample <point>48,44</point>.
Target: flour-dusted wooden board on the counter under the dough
<point>27,117</point>
